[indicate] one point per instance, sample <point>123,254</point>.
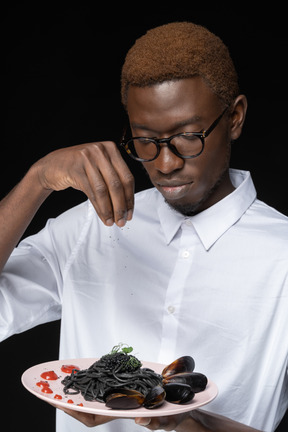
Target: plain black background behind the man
<point>61,87</point>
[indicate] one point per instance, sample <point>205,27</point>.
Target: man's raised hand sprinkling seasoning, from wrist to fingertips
<point>98,170</point>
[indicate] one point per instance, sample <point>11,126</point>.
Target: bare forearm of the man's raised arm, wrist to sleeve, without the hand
<point>17,210</point>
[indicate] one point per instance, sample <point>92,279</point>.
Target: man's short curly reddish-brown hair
<point>176,51</point>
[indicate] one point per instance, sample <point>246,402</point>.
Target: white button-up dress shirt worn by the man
<point>213,286</point>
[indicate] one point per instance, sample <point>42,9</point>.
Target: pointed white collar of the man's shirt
<point>212,223</point>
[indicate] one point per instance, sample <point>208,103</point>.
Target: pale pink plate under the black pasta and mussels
<point>33,375</point>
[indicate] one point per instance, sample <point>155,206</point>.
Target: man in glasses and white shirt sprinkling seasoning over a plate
<point>197,267</point>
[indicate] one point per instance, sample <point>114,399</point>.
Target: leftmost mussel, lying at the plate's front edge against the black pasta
<point>122,398</point>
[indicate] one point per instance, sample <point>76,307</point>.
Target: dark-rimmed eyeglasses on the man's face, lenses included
<point>186,145</point>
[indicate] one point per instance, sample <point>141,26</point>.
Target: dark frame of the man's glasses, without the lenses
<point>158,141</point>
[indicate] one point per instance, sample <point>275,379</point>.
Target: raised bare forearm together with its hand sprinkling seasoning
<point>97,169</point>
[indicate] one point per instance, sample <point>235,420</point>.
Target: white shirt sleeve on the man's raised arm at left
<point>32,281</point>
